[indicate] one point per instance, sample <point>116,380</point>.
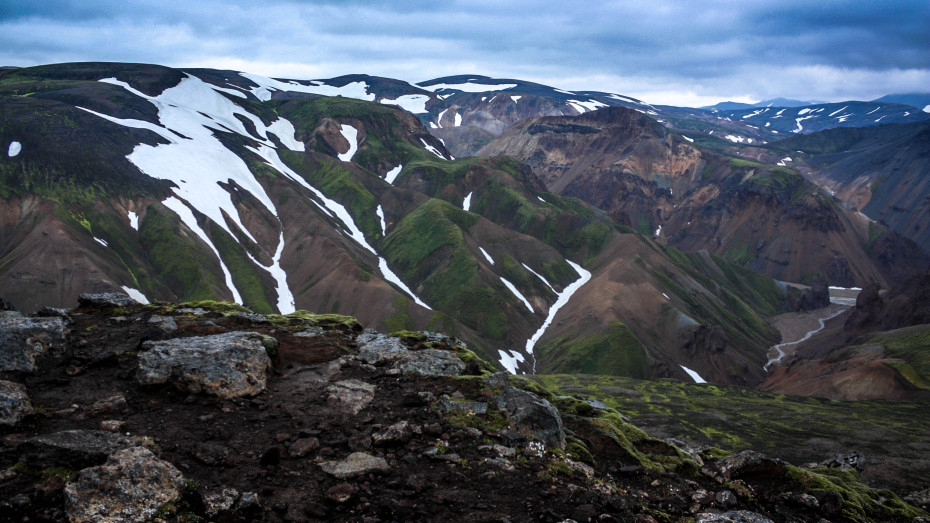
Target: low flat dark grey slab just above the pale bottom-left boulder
<point>74,449</point>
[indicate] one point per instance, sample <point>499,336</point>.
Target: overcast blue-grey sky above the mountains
<point>675,52</point>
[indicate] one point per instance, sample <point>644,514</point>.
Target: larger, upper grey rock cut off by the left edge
<point>22,339</point>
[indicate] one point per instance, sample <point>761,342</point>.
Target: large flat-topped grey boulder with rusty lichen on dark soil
<point>227,365</point>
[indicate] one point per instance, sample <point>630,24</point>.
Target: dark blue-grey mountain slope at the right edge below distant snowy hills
<point>882,171</point>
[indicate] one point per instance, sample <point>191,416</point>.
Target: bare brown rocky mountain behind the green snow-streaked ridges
<point>767,218</point>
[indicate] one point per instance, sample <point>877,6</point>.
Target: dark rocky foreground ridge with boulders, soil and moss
<point>116,411</point>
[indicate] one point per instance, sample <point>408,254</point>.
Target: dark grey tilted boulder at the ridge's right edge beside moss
<point>532,416</point>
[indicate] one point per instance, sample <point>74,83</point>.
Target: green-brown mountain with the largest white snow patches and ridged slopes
<point>193,185</point>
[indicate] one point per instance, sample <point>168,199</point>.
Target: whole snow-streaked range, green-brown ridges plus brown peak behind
<point>605,239</point>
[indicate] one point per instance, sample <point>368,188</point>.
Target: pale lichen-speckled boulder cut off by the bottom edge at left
<point>131,486</point>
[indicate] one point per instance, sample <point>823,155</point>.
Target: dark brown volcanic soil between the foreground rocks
<point>441,473</point>
